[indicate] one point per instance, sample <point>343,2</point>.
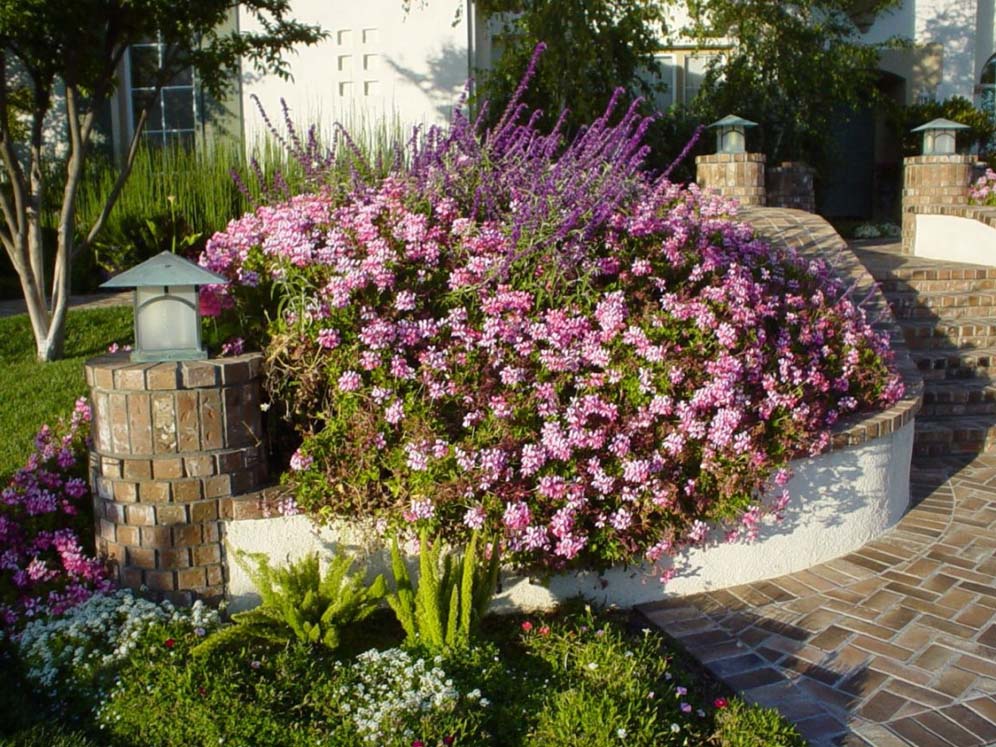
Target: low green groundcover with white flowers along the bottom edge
<point>574,677</point>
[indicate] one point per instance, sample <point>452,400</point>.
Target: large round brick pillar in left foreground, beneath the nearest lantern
<point>172,442</point>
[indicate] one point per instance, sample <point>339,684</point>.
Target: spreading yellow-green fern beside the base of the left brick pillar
<point>298,603</point>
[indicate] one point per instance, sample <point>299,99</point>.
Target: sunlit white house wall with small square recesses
<point>377,62</point>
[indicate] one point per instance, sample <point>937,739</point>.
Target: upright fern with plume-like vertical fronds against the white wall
<point>452,596</point>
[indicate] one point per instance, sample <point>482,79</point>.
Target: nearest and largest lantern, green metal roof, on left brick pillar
<point>167,312</point>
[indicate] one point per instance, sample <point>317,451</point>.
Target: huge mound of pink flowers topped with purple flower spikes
<point>537,338</point>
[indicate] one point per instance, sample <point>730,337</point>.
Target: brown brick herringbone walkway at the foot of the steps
<point>892,645</point>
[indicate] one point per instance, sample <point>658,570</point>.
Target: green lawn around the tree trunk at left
<point>33,393</point>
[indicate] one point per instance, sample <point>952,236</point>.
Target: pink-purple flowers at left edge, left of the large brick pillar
<point>44,567</point>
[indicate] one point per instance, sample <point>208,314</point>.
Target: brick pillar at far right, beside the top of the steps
<point>931,182</point>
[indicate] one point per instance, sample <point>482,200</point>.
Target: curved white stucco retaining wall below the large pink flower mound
<point>840,501</point>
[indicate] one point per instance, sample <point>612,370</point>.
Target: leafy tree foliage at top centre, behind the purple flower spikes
<point>593,46</point>
